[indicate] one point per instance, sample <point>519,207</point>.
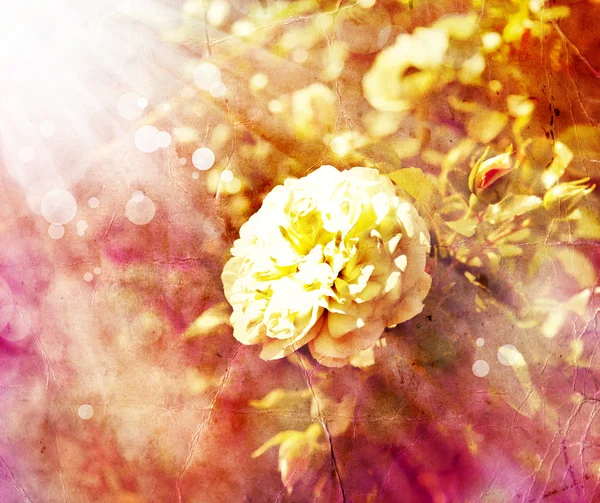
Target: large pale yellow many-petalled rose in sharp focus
<point>329,260</point>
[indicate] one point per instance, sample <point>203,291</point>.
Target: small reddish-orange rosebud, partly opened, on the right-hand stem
<point>490,179</point>
